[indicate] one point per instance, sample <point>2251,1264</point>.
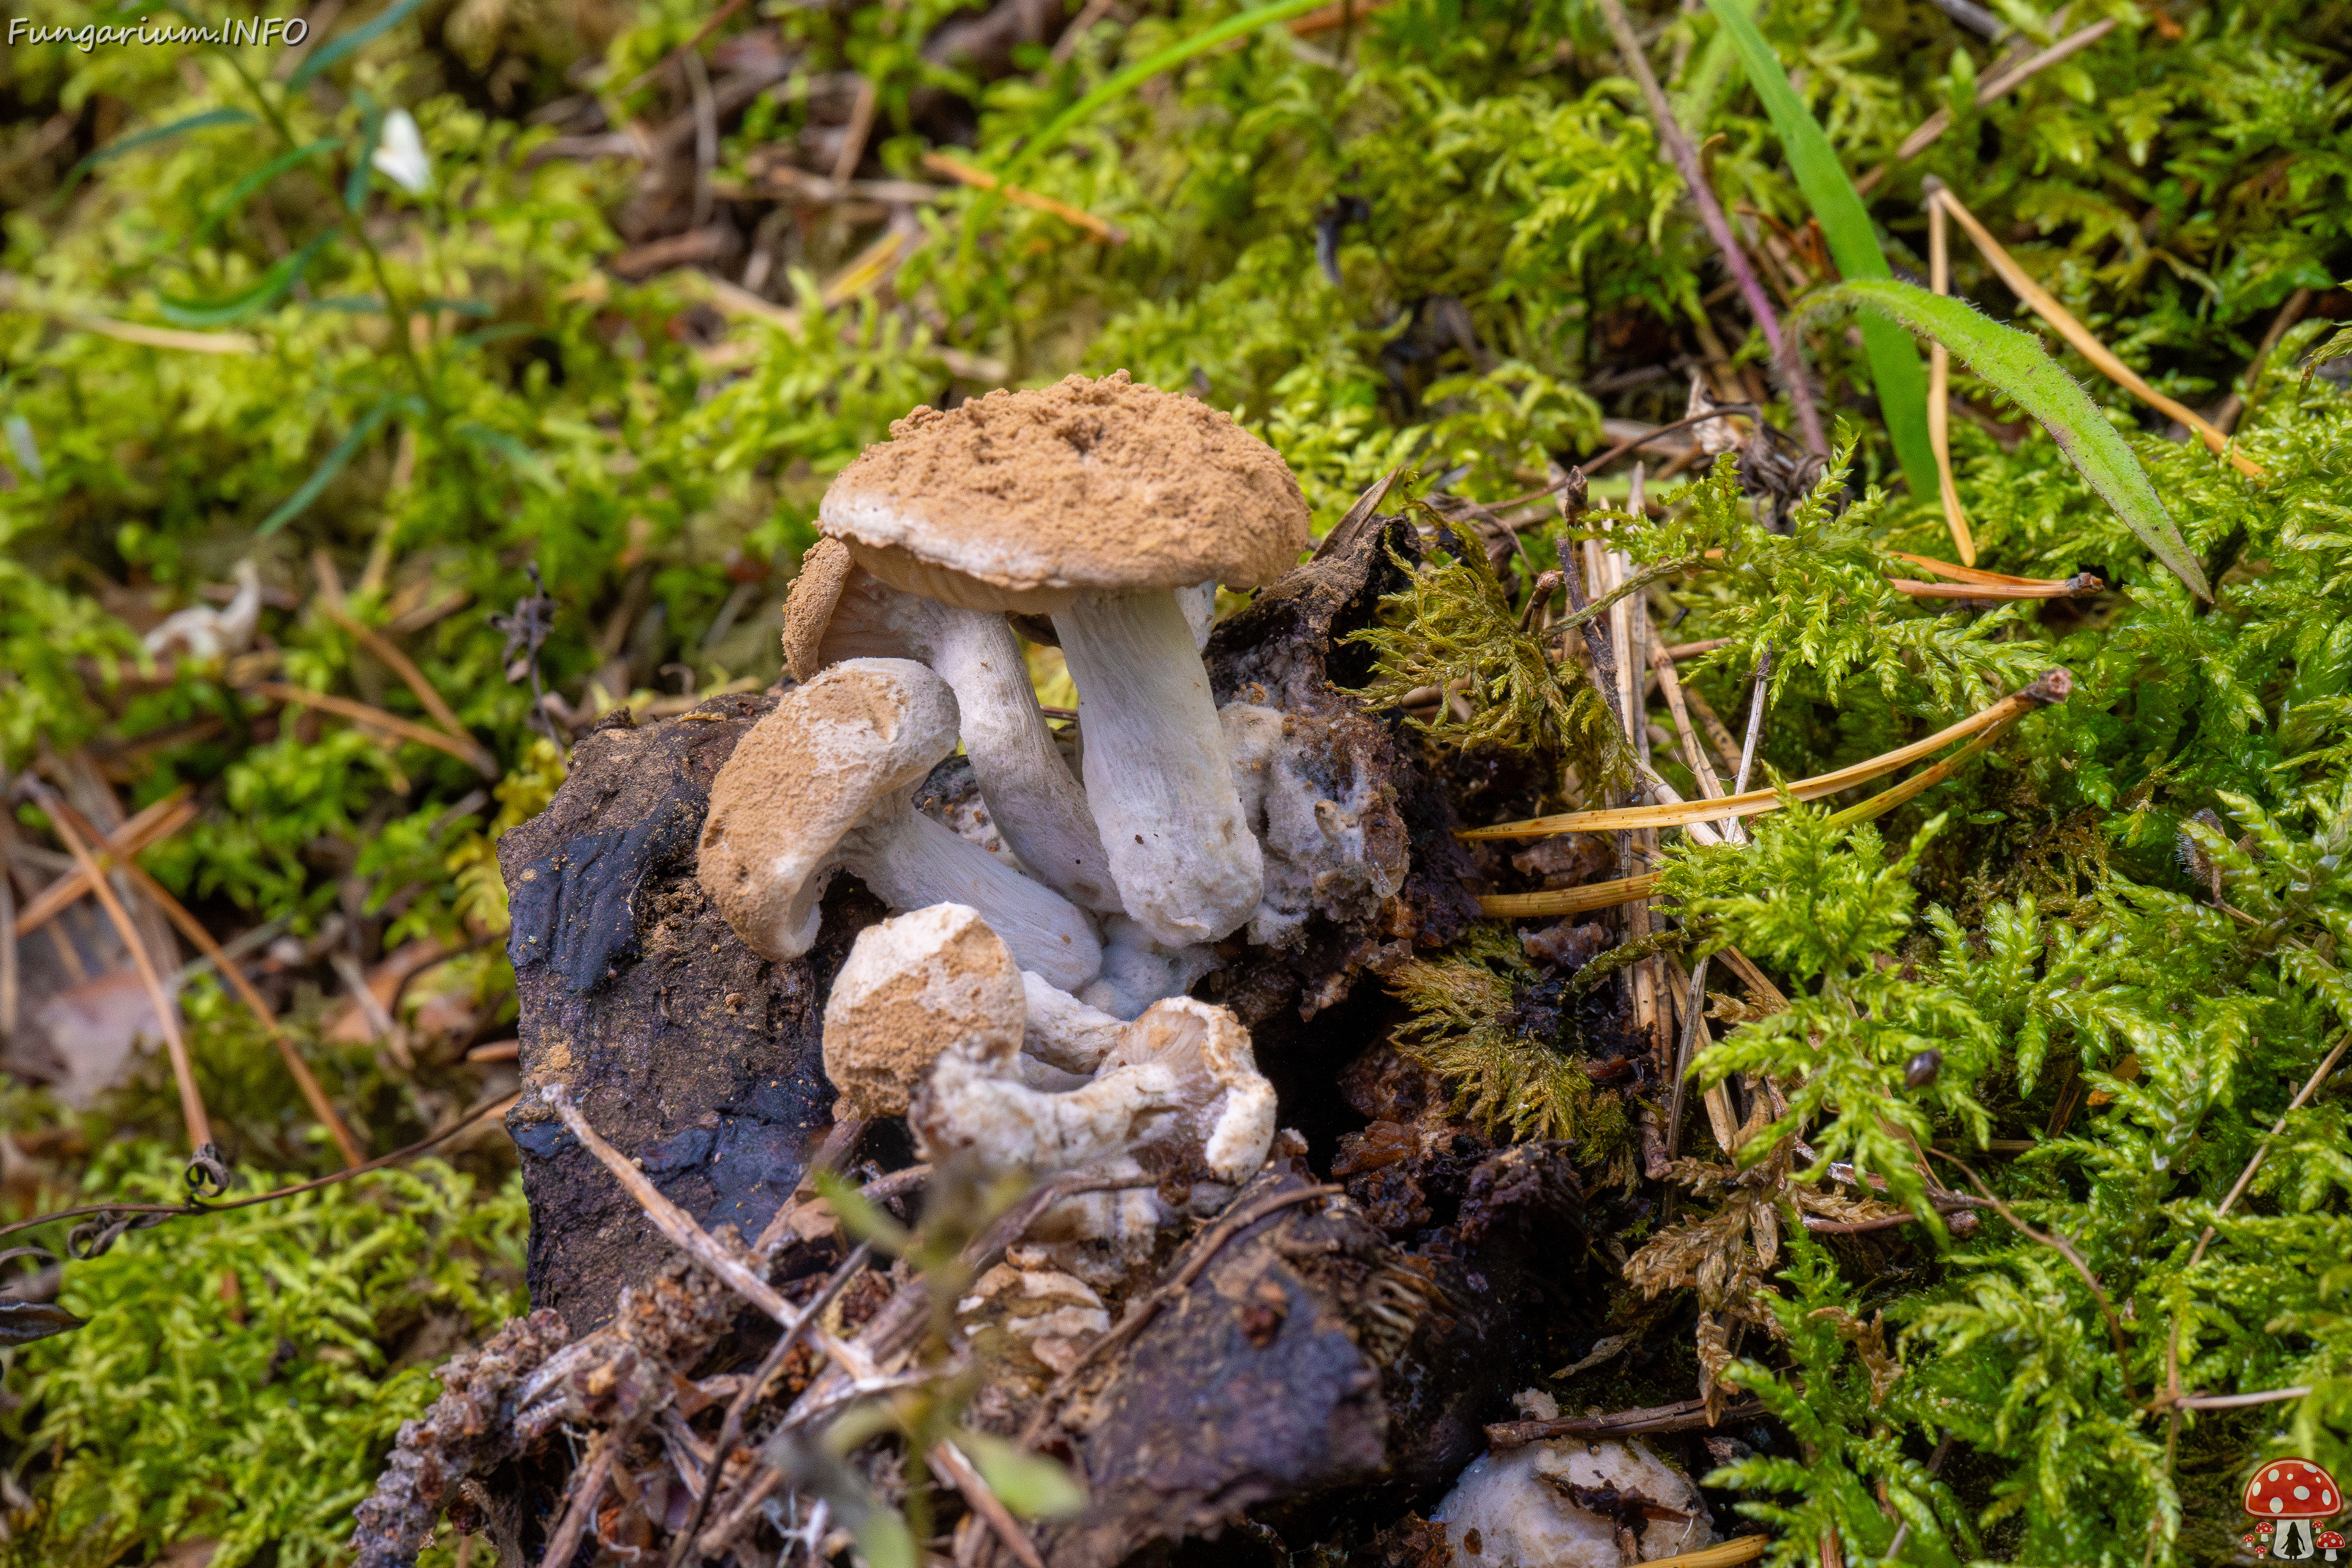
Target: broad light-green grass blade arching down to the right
<point>2014,363</point>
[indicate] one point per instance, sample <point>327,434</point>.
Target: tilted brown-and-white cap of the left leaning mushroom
<point>806,775</point>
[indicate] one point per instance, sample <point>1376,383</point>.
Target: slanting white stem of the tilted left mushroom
<point>909,862</point>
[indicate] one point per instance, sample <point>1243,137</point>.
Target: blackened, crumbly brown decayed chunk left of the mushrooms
<point>674,1038</point>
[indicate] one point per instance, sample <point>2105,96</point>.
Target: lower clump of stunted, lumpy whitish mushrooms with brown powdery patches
<point>935,1019</point>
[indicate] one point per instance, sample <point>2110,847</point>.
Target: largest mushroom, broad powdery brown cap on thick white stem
<point>1097,502</point>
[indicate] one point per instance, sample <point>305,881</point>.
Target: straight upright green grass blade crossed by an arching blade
<point>1855,246</point>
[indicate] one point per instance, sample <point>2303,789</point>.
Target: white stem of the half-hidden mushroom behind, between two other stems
<point>1031,793</point>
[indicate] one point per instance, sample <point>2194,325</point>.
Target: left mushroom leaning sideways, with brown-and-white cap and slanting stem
<point>824,782</point>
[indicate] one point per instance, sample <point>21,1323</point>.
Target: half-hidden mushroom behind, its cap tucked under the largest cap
<point>841,610</point>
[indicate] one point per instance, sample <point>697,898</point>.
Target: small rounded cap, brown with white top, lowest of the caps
<point>916,986</point>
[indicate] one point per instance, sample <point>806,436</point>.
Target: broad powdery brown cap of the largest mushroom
<point>1017,502</point>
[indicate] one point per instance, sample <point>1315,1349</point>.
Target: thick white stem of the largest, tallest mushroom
<point>1156,768</point>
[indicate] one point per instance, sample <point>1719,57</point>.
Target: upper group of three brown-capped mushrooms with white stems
<point>1093,514</point>
